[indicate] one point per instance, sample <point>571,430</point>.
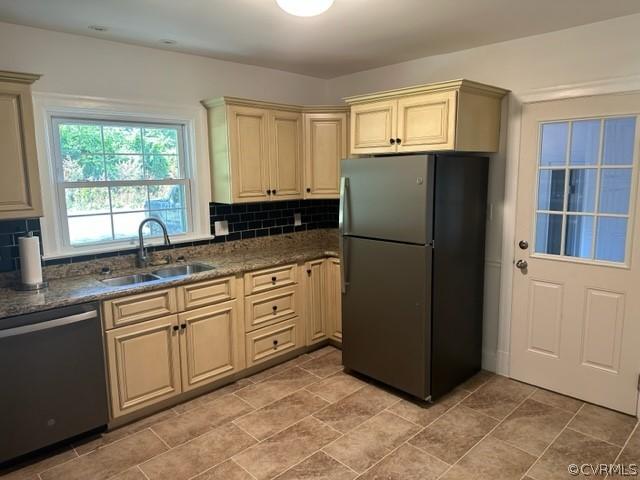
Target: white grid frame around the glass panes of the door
<point>599,167</point>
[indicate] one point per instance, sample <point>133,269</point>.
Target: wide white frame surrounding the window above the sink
<point>48,107</point>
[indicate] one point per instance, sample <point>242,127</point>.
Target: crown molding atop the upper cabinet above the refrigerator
<point>459,84</point>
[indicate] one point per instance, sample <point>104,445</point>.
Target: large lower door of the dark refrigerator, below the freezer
<point>386,313</point>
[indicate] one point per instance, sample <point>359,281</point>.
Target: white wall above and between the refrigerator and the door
<point>588,53</point>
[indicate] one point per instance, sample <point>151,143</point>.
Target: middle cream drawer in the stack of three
<point>270,307</point>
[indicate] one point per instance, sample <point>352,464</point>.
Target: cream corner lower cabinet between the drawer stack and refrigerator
<point>323,308</point>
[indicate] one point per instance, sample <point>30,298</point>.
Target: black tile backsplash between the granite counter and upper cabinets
<point>249,220</point>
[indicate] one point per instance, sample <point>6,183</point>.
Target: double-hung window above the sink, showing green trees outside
<point>111,175</point>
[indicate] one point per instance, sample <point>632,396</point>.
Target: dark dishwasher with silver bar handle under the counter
<point>52,378</point>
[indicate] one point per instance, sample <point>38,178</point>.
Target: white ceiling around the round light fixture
<point>353,35</point>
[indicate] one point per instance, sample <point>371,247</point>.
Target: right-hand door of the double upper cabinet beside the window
<point>285,162</point>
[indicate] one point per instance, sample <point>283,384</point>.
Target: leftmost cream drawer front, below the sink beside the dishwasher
<point>136,308</point>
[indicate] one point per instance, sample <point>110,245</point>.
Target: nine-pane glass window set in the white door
<point>585,171</point>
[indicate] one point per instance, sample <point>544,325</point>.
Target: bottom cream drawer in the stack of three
<point>271,342</point>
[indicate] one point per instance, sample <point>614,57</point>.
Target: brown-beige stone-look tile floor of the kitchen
<point>306,419</point>
